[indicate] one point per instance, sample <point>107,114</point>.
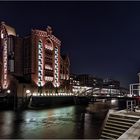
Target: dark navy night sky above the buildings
<point>101,38</point>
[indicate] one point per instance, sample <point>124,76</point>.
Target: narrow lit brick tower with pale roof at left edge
<point>6,54</point>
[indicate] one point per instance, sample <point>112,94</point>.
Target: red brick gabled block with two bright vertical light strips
<point>42,58</point>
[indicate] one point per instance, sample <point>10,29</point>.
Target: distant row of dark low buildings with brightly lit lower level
<point>90,85</point>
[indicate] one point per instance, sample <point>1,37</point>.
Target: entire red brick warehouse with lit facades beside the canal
<point>33,62</point>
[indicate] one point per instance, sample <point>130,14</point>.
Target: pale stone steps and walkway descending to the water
<point>123,124</point>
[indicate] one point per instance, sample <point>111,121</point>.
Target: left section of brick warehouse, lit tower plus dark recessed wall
<point>8,48</point>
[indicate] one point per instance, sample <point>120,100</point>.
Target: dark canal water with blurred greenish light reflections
<point>69,122</point>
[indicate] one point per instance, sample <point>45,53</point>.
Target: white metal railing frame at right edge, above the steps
<point>134,89</point>
